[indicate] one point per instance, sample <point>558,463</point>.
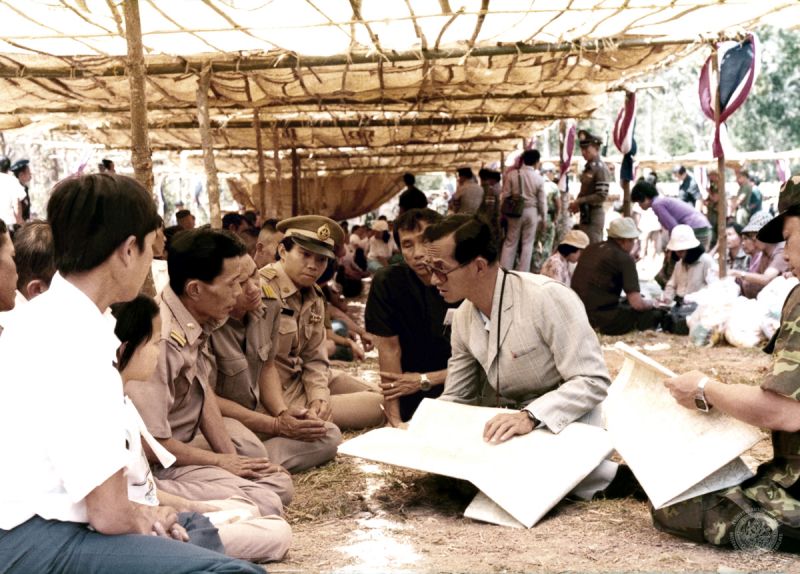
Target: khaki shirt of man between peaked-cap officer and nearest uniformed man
<point>240,350</point>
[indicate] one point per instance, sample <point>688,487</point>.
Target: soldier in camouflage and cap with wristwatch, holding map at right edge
<point>764,512</point>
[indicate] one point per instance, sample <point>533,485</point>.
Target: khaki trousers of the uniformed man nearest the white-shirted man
<point>200,482</point>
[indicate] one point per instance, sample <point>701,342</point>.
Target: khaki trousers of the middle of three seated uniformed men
<point>293,455</point>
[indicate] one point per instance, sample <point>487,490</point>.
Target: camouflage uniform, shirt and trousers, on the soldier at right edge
<point>773,492</point>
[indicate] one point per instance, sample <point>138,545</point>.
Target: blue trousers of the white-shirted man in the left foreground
<point>56,547</point>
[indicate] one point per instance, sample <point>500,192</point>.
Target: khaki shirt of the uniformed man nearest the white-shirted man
<point>171,402</point>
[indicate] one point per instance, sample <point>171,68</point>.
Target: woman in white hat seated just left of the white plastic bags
<point>694,265</point>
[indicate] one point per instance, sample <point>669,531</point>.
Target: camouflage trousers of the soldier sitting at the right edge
<point>727,518</point>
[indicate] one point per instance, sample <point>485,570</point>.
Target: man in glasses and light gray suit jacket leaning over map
<point>518,340</point>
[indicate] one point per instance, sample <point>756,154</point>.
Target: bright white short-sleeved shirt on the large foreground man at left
<point>62,424</point>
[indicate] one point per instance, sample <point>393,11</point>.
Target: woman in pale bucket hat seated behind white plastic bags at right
<point>766,260</point>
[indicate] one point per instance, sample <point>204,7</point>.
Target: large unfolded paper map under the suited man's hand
<point>525,476</point>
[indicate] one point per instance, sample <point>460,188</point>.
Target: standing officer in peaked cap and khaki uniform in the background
<point>595,181</point>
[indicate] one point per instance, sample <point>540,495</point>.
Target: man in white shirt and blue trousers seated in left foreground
<point>64,502</point>
